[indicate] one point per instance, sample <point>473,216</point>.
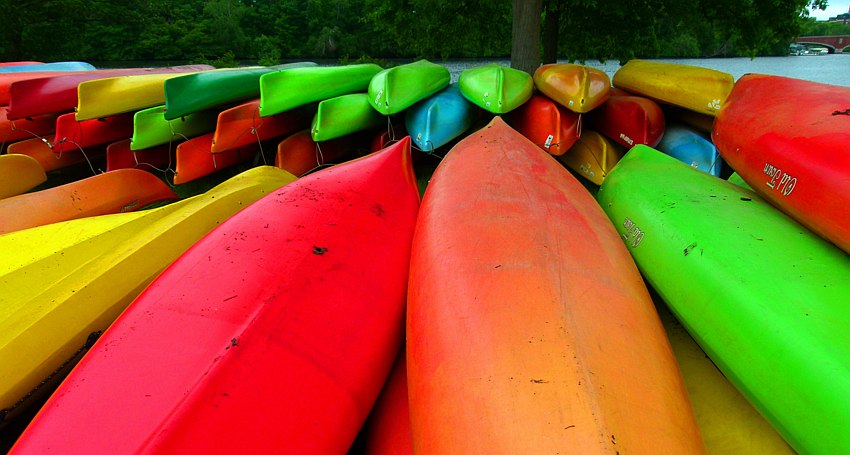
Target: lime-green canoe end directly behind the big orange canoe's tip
<point>496,88</point>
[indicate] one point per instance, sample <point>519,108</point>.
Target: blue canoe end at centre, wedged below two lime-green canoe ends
<point>435,121</point>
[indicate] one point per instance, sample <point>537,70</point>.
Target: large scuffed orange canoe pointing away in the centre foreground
<point>529,328</point>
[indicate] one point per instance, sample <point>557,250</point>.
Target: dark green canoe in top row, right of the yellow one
<point>196,92</point>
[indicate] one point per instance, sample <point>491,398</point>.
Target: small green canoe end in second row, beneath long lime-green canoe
<point>343,115</point>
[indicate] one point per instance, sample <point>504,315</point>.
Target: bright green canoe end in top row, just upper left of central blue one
<point>395,89</point>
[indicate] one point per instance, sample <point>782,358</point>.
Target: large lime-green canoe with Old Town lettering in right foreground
<point>764,297</point>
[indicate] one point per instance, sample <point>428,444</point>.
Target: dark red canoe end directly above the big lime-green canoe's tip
<point>629,120</point>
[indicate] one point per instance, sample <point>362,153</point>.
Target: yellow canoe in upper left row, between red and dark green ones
<point>117,95</point>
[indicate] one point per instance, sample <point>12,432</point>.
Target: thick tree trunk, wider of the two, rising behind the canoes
<point>525,35</point>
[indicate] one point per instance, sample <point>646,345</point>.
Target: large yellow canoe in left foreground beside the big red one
<point>63,284</point>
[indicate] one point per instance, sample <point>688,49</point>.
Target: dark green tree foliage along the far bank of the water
<point>270,31</point>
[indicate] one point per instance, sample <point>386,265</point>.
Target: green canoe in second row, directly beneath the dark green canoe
<point>150,128</point>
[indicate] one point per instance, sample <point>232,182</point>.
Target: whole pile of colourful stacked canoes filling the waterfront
<point>508,313</point>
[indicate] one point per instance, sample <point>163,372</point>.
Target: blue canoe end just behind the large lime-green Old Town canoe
<point>689,146</point>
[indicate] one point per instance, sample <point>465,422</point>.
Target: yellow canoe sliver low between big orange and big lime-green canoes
<point>729,424</point>
